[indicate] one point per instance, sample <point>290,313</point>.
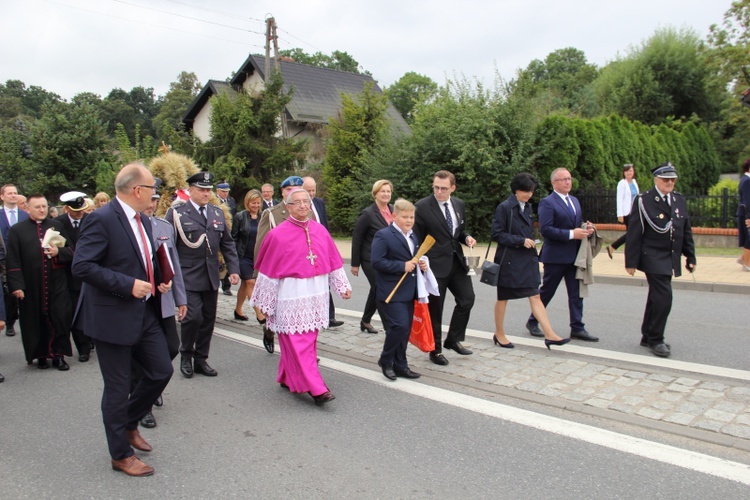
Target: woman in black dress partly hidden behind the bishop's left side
<point>244,230</point>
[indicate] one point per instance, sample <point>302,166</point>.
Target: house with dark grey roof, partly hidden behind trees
<point>315,100</point>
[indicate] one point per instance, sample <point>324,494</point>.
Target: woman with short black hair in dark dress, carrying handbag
<point>518,259</point>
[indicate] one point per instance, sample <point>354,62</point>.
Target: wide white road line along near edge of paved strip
<point>671,455</point>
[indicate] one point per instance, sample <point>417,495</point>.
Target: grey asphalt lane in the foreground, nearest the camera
<point>241,436</point>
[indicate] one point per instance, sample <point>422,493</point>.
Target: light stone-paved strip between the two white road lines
<point>666,394</point>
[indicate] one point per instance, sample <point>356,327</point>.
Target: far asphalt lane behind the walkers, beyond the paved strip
<point>704,327</point>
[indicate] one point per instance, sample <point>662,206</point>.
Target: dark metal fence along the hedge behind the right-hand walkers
<point>704,210</point>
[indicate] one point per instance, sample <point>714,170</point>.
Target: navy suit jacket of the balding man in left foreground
<point>108,260</point>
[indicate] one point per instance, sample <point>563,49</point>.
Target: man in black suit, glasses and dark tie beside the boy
<point>444,218</point>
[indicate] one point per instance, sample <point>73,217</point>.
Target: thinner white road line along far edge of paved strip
<point>671,364</point>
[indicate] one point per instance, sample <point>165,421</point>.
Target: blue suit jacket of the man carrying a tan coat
<point>555,223</point>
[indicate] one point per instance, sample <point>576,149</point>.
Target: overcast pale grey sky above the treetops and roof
<point>72,46</point>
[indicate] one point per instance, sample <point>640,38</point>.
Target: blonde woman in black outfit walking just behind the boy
<point>370,221</point>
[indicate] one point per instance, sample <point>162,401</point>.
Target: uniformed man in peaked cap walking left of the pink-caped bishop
<point>201,232</point>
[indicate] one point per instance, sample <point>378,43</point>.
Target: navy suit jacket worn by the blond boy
<point>389,251</point>
